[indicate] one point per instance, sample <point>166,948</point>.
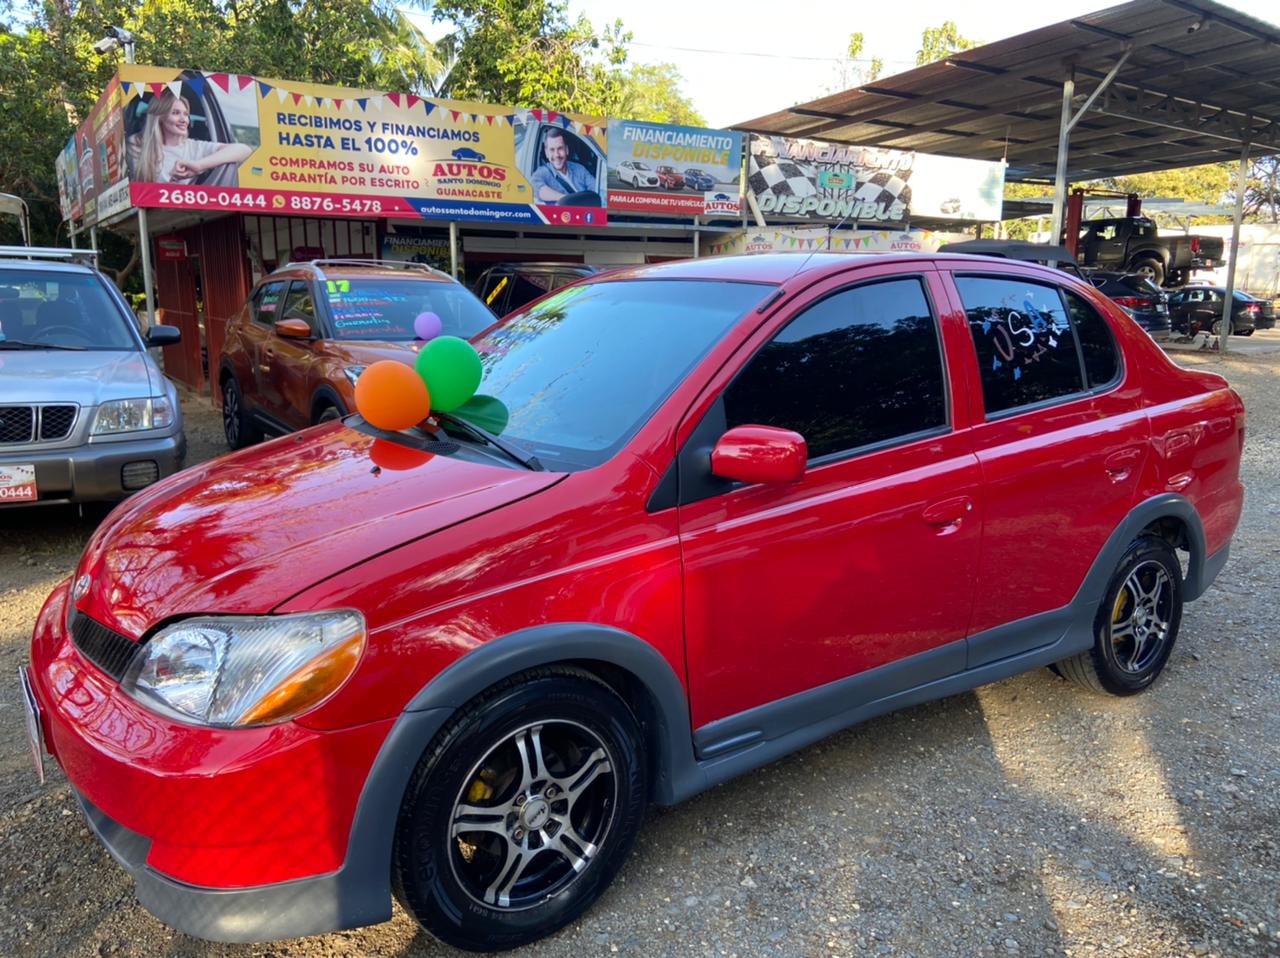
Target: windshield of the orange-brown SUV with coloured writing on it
<point>386,309</point>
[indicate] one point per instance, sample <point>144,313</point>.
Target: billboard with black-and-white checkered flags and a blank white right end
<point>863,184</point>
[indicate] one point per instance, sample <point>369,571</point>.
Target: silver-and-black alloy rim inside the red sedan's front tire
<point>532,815</point>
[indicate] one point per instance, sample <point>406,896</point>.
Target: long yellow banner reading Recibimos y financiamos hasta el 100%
<point>223,142</point>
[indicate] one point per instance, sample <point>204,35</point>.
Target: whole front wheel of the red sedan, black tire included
<point>536,863</point>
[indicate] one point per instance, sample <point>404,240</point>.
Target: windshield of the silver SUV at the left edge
<point>52,311</point>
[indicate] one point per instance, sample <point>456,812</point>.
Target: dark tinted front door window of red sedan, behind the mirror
<point>862,367</point>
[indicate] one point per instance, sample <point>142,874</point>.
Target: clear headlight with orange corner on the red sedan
<point>246,670</point>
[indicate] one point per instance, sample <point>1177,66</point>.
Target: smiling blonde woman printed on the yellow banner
<point>164,153</point>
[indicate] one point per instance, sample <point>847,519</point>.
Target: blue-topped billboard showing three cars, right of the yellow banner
<point>683,171</point>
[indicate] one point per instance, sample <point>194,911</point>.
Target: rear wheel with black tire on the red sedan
<point>1128,660</point>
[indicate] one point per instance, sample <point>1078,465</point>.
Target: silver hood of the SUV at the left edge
<point>88,377</point>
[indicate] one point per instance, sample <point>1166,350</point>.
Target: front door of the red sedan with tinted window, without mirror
<point>871,558</point>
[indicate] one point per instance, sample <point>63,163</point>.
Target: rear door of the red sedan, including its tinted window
<point>1062,436</point>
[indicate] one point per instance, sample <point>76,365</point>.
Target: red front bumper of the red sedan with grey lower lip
<point>230,834</point>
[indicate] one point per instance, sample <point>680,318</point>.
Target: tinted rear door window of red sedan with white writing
<point>1027,350</point>
